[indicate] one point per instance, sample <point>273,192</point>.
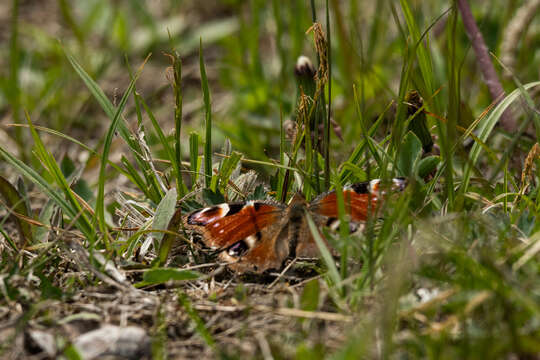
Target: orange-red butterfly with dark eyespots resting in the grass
<point>255,236</point>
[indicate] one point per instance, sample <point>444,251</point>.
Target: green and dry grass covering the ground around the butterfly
<point>93,185</point>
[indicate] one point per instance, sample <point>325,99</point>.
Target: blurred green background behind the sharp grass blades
<point>250,48</point>
